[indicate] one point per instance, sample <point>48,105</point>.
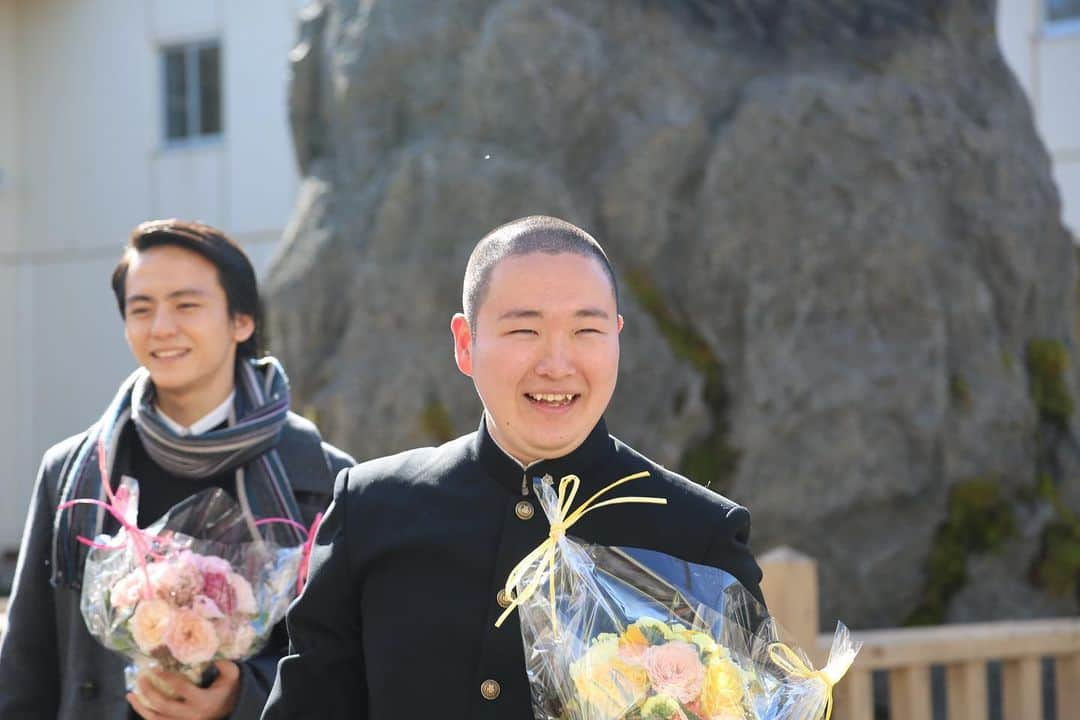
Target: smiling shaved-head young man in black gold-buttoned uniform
<point>398,619</point>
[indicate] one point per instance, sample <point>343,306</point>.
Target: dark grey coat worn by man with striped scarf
<point>52,668</point>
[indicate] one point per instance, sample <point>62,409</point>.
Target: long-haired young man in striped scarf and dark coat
<point>204,411</point>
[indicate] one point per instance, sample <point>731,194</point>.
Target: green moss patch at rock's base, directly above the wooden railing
<point>980,520</point>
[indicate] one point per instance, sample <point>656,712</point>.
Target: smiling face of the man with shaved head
<point>544,354</point>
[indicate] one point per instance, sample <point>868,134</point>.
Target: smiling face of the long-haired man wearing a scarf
<point>179,327</point>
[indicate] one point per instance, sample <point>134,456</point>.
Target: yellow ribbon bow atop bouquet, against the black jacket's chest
<point>546,552</point>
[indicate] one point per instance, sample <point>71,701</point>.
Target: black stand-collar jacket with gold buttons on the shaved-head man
<point>398,618</point>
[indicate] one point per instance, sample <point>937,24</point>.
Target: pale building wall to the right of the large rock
<point>1046,59</point>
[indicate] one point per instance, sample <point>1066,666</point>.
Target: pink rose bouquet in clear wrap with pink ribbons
<point>200,585</point>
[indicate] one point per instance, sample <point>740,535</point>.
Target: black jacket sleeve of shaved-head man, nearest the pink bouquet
<point>323,676</point>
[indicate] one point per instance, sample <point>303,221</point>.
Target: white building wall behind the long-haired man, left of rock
<point>84,162</point>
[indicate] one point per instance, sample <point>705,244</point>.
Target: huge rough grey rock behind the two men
<point>834,222</point>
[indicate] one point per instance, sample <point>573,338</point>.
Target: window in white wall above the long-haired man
<point>192,76</point>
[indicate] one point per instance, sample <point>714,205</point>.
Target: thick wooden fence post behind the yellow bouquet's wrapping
<point>790,587</point>
